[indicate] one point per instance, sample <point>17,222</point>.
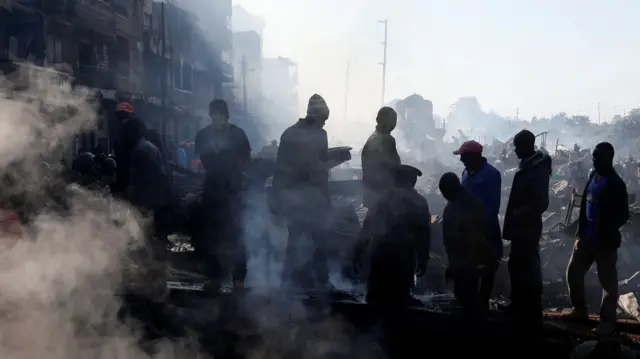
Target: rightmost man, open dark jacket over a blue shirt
<point>603,210</point>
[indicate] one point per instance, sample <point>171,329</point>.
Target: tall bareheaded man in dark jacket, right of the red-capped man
<point>528,200</point>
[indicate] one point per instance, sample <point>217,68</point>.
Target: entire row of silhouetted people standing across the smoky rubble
<point>395,238</point>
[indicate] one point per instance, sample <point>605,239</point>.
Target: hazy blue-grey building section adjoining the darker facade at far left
<point>184,67</point>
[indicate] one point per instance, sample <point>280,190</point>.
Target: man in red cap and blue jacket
<point>484,181</point>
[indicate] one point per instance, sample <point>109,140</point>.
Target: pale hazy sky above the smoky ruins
<point>541,56</point>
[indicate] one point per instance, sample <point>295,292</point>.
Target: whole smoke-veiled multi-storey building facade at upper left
<point>168,61</point>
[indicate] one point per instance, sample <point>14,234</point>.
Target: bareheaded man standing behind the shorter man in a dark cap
<point>380,157</point>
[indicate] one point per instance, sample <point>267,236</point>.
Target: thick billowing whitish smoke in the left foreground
<point>58,283</point>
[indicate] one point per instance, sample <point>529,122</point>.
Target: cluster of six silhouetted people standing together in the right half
<point>472,235</point>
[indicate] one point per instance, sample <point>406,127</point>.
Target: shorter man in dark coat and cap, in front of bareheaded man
<point>397,235</point>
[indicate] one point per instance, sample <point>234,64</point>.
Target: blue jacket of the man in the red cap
<point>486,185</point>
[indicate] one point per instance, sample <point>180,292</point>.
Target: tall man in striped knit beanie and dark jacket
<point>301,191</point>
